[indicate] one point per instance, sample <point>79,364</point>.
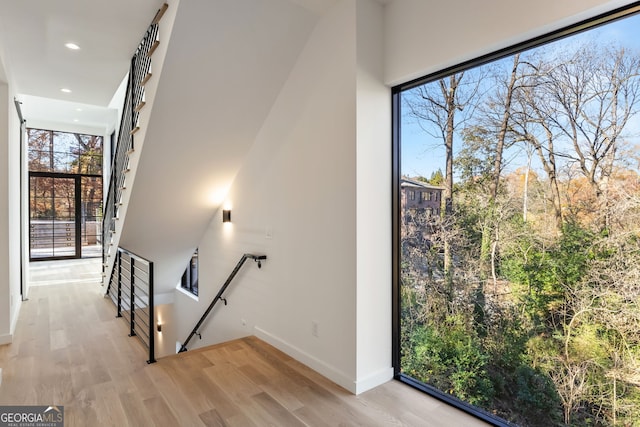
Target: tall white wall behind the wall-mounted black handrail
<point>298,184</point>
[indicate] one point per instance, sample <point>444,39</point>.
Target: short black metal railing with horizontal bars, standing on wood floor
<point>131,290</point>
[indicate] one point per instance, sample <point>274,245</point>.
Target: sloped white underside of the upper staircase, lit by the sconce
<point>226,62</point>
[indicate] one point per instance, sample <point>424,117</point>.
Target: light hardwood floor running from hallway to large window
<point>70,350</point>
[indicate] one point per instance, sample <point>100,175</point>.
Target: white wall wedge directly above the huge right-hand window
<point>424,37</point>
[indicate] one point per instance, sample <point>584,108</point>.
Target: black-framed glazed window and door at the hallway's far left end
<point>65,194</point>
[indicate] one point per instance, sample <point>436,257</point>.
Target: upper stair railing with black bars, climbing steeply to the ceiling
<point>139,75</point>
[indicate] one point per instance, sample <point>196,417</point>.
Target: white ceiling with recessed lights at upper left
<point>33,34</point>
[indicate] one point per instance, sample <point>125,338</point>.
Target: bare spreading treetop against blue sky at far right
<point>592,95</point>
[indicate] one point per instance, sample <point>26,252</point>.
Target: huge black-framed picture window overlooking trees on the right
<point>518,292</point>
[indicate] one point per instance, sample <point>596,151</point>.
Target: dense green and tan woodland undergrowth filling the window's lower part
<point>561,305</point>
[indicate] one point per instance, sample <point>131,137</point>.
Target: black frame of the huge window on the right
<point>396,175</point>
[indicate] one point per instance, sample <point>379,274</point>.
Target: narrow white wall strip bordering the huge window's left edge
<point>373,177</point>
